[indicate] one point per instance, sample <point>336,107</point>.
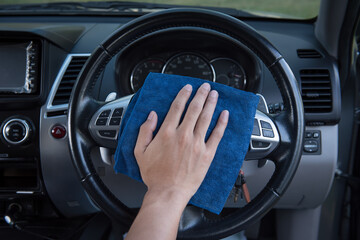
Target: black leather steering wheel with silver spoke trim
<point>288,126</point>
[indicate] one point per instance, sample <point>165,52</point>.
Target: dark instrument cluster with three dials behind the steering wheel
<point>188,53</point>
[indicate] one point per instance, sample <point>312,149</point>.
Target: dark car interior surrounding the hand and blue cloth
<point>68,71</point>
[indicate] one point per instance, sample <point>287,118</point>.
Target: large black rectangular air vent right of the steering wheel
<point>316,90</point>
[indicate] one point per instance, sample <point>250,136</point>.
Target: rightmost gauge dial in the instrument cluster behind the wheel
<point>229,72</point>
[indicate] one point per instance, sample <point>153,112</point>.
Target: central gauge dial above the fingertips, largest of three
<point>189,64</point>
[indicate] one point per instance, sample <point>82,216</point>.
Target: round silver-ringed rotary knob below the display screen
<point>16,131</point>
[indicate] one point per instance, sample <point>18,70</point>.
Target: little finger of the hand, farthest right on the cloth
<point>218,131</point>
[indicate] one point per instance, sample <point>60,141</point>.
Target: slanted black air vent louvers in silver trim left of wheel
<point>68,80</point>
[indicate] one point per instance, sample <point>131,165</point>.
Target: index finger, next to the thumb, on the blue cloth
<point>177,107</point>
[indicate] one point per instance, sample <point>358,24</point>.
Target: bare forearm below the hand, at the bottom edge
<point>159,215</point>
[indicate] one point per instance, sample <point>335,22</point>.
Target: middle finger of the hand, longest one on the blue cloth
<point>195,107</point>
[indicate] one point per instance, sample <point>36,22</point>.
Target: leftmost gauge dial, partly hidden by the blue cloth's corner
<point>141,71</point>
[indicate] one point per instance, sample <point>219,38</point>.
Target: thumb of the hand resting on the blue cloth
<point>146,133</point>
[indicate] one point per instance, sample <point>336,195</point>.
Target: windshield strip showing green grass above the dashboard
<point>296,9</point>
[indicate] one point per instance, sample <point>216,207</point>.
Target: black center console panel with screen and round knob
<point>21,94</point>
